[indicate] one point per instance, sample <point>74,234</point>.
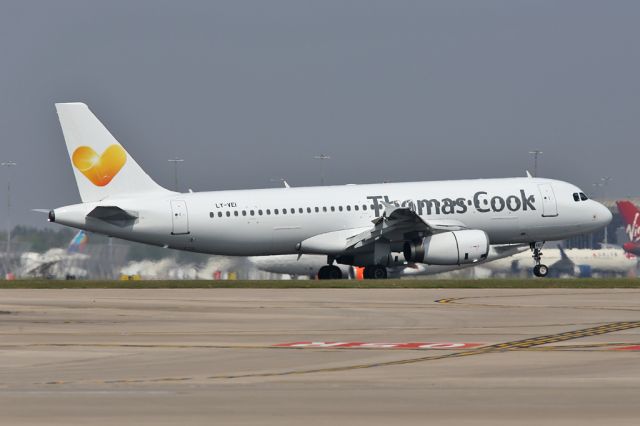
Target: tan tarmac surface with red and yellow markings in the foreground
<point>319,356</point>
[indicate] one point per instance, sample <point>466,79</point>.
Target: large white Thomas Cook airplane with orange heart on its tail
<point>374,226</point>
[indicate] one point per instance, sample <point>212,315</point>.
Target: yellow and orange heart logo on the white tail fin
<point>99,169</point>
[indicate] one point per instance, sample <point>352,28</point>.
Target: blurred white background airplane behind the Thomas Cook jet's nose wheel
<point>609,259</point>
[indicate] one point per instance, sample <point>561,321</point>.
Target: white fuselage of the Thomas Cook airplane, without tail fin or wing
<point>253,222</point>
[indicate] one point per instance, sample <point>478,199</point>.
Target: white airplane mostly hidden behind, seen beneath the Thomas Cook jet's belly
<point>310,264</point>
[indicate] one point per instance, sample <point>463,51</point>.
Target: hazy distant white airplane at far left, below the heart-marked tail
<point>49,263</point>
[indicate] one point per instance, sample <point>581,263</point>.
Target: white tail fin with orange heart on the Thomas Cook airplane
<point>101,165</point>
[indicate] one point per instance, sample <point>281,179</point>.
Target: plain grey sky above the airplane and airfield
<point>248,91</point>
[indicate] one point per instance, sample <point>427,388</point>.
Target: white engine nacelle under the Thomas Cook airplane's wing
<point>449,248</point>
